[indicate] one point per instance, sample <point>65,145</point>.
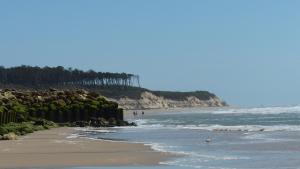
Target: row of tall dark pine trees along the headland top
<point>37,76</point>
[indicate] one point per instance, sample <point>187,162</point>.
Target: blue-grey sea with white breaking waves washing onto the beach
<point>224,138</point>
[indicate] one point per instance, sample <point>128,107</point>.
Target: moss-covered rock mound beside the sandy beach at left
<point>61,106</point>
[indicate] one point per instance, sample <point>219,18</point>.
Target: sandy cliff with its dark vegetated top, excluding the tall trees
<point>141,98</point>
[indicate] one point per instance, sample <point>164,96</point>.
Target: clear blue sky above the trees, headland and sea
<point>247,52</point>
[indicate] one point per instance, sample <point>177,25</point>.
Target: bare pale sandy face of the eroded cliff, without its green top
<point>150,101</point>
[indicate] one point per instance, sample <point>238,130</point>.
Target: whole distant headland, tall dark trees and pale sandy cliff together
<point>123,88</point>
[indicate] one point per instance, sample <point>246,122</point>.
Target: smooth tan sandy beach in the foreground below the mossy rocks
<point>54,148</point>
